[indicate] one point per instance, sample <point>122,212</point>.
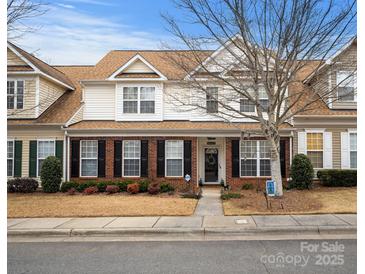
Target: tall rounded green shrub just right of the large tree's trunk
<point>301,172</point>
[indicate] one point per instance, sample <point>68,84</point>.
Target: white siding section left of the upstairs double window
<point>99,102</point>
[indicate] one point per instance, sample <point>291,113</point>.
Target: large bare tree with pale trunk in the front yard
<point>267,43</point>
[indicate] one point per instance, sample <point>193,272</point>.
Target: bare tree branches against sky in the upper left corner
<point>18,12</point>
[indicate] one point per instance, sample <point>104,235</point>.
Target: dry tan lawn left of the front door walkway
<point>62,205</point>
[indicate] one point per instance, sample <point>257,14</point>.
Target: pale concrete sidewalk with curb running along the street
<point>191,225</point>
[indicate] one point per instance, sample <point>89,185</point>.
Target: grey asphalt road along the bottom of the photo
<point>289,256</point>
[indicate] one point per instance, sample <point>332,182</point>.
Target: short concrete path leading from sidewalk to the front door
<point>210,204</point>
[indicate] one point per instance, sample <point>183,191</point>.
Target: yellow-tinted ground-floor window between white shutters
<point>315,149</point>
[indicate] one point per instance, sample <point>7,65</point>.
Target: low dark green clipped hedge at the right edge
<point>337,177</point>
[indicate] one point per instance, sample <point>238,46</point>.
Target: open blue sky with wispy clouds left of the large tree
<point>82,31</point>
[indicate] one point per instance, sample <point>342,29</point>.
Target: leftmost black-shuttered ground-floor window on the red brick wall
<point>89,158</point>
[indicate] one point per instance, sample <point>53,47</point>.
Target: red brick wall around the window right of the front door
<point>237,182</point>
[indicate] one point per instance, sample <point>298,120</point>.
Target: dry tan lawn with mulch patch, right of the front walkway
<point>315,201</point>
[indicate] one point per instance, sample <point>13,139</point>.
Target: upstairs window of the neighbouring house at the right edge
<point>345,86</point>
